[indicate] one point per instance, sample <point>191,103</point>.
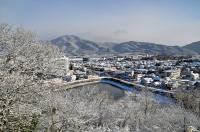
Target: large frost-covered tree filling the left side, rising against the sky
<point>24,64</point>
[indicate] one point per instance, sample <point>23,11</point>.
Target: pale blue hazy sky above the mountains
<point>171,22</point>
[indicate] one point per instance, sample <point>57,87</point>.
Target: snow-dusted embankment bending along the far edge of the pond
<point>122,84</point>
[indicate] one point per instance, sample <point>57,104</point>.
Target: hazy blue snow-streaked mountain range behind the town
<point>73,45</point>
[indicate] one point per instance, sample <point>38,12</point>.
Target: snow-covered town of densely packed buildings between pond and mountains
<point>169,73</point>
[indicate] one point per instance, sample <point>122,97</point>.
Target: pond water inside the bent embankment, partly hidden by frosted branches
<point>117,93</point>
